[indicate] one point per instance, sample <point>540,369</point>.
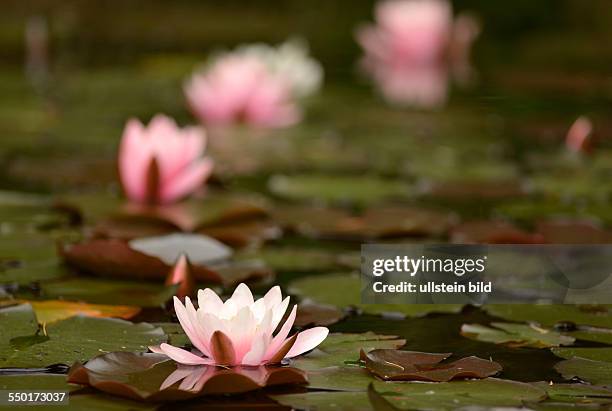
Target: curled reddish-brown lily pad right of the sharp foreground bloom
<point>396,365</point>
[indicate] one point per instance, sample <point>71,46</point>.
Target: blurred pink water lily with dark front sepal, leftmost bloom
<point>161,162</point>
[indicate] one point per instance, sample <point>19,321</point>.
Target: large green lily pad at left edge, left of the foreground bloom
<point>74,339</point>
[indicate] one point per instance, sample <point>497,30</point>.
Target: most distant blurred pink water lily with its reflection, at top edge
<point>413,47</point>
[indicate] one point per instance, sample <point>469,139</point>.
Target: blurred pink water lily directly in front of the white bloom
<point>240,87</point>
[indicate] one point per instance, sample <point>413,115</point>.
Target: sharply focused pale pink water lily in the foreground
<point>239,331</point>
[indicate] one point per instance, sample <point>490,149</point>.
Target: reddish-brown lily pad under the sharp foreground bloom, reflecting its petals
<point>152,377</point>
